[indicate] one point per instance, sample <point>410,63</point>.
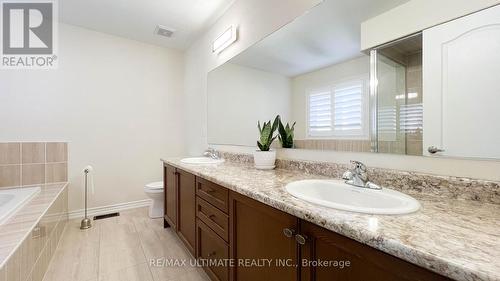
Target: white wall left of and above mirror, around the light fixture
<point>256,19</point>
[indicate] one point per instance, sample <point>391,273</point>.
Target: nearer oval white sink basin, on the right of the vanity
<point>339,195</point>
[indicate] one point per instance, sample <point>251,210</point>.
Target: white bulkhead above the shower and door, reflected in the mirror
<point>415,16</point>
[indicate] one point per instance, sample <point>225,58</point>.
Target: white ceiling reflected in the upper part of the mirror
<point>328,34</point>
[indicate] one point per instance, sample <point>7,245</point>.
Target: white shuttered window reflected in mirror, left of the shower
<point>339,111</point>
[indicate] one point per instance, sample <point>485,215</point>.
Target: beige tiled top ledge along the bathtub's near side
<point>19,226</point>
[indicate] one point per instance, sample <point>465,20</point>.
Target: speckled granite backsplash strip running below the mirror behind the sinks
<point>409,182</point>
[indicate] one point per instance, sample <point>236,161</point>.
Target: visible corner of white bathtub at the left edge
<point>11,200</point>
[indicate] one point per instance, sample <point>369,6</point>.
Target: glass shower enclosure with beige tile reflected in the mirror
<point>399,97</point>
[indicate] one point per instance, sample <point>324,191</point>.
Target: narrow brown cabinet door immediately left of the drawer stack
<point>186,201</point>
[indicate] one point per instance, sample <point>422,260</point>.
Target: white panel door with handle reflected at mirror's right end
<point>461,80</point>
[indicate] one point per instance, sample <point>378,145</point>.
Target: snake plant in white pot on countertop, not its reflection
<point>265,157</point>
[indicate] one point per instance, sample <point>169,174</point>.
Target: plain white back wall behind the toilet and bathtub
<point>116,101</point>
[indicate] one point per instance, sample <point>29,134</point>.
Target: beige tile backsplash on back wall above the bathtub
<point>29,163</point>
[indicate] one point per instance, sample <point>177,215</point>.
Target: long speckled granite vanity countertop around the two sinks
<point>456,238</point>
